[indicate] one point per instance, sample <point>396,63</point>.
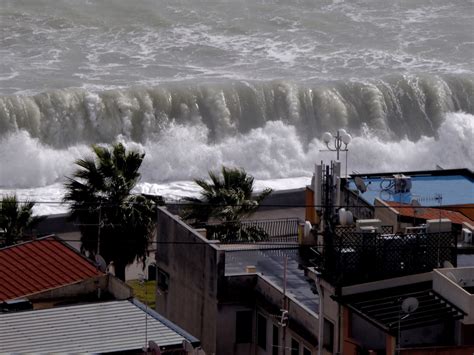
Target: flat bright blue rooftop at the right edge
<point>429,188</point>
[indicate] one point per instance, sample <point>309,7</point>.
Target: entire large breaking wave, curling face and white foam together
<point>272,129</point>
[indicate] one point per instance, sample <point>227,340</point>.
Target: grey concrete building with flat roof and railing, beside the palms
<point>237,296</point>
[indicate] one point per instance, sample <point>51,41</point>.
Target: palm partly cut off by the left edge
<point>15,219</point>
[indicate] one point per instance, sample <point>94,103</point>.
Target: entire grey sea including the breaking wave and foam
<point>197,84</point>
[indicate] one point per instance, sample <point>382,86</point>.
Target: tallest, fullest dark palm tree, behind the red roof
<point>113,222</point>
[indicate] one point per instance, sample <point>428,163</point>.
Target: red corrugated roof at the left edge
<point>41,265</point>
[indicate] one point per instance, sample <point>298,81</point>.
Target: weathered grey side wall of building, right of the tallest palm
<point>194,266</point>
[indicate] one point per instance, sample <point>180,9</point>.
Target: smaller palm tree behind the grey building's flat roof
<point>226,198</point>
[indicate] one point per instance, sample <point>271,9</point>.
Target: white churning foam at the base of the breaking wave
<point>274,154</point>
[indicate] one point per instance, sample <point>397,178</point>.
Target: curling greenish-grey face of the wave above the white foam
<point>393,108</point>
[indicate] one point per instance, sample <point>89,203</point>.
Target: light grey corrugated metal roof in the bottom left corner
<point>89,328</point>
